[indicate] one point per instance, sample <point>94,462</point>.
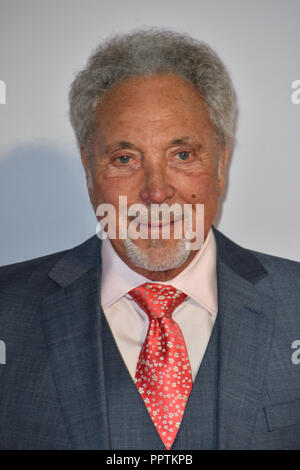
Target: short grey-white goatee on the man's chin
<point>158,257</point>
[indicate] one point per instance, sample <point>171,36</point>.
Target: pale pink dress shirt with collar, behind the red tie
<point>129,323</point>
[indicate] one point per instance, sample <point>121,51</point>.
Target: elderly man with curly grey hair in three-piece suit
<point>143,342</point>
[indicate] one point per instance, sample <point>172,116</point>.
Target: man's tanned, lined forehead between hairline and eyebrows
<point>153,107</point>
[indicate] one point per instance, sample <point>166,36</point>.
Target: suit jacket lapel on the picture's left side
<point>71,318</point>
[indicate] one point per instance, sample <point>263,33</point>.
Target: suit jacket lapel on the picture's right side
<point>246,314</point>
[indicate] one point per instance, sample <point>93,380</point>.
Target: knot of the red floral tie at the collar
<point>157,300</point>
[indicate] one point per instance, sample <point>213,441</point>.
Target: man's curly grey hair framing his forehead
<point>146,52</point>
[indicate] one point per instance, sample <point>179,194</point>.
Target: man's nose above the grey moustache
<point>156,189</point>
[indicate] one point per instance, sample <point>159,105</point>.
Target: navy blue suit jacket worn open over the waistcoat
<point>52,386</point>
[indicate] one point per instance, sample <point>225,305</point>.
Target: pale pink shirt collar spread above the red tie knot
<point>198,280</point>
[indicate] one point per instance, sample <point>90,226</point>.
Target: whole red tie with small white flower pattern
<point>163,375</point>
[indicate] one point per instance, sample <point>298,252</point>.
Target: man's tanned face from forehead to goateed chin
<point>154,143</point>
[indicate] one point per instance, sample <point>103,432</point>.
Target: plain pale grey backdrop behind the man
<point>44,201</point>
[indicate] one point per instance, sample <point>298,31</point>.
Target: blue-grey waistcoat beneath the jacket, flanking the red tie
<point>129,423</point>
